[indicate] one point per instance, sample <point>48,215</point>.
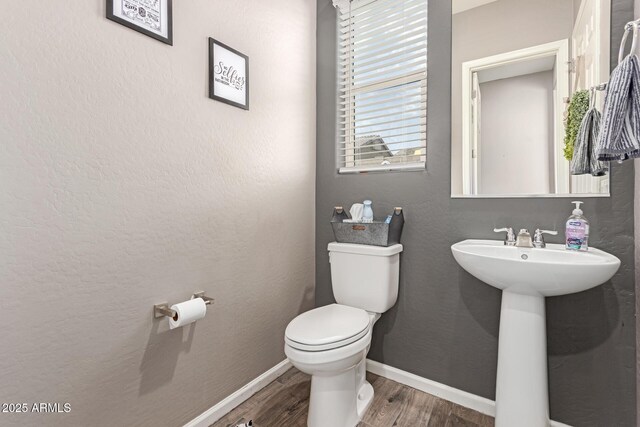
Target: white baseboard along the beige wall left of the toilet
<point>225,406</point>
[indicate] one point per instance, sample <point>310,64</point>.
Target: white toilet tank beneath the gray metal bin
<point>365,276</point>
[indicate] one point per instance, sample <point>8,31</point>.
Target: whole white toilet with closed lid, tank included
<point>331,343</point>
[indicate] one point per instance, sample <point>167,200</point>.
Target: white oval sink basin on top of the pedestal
<point>547,272</point>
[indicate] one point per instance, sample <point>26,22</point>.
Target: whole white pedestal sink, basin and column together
<point>526,276</point>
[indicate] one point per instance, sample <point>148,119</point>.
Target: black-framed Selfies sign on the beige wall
<point>228,75</point>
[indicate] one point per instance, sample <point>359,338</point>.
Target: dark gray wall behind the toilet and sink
<point>445,324</point>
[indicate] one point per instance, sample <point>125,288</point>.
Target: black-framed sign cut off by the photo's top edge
<point>150,17</point>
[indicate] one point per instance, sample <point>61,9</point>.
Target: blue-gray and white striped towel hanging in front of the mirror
<point>620,127</point>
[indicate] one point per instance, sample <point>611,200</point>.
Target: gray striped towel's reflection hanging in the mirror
<point>584,159</point>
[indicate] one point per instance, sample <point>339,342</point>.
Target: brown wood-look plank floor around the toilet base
<point>284,403</point>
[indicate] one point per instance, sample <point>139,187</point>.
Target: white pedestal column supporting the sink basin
<point>522,395</point>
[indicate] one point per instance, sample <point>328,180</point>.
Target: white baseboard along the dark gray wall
<point>459,397</point>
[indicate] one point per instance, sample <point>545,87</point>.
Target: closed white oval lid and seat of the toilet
<point>327,327</point>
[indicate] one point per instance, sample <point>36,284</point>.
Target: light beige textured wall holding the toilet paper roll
<point>123,185</point>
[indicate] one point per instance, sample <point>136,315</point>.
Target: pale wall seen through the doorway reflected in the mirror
<point>516,127</point>
